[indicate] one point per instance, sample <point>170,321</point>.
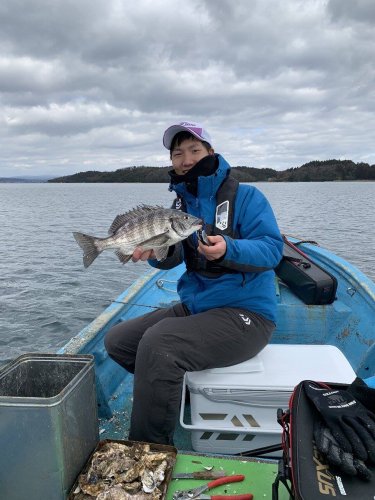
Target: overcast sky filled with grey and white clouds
<point>92,84</point>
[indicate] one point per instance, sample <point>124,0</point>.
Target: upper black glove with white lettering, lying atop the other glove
<point>351,424</point>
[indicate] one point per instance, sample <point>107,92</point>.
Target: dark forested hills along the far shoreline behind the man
<point>329,170</point>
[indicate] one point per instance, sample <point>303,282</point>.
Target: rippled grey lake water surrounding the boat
<point>46,295</point>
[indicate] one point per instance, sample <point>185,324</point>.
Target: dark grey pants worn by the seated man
<point>161,346</point>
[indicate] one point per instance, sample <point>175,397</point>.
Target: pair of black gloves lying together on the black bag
<point>346,432</point>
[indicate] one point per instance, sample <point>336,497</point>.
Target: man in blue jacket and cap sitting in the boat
<point>227,307</point>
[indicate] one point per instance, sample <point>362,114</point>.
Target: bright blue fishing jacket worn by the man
<point>253,253</point>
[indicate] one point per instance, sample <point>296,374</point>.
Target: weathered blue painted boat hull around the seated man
<point>346,324</point>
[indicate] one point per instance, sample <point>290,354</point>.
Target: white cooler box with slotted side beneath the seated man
<point>234,409</point>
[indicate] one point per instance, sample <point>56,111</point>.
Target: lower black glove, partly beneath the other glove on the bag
<point>336,456</point>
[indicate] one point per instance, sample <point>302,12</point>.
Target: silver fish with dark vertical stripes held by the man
<point>149,227</point>
